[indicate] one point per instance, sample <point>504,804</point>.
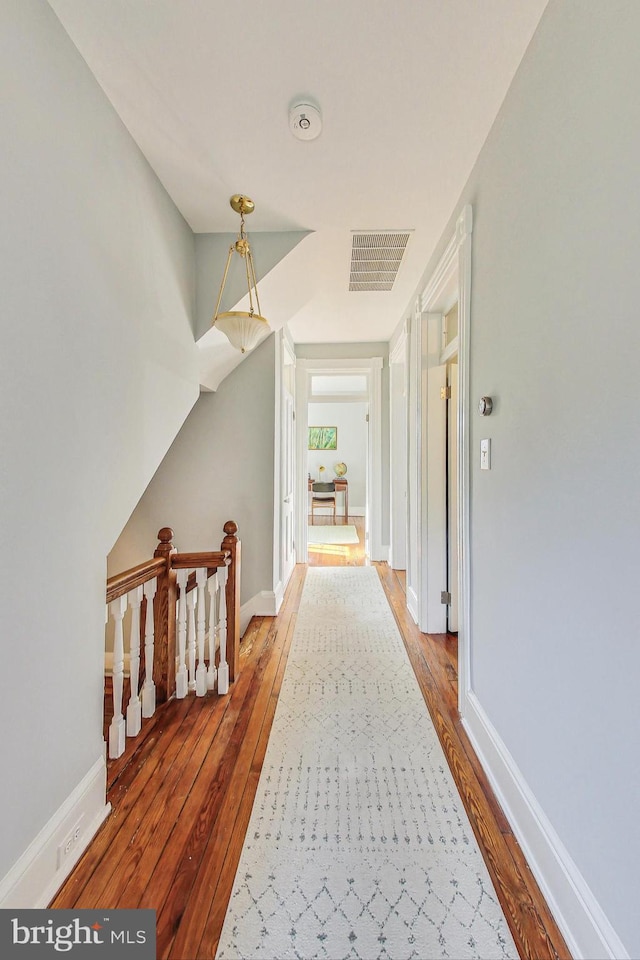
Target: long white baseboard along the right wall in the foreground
<point>582,922</point>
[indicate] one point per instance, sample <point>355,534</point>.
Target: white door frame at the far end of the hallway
<point>305,369</point>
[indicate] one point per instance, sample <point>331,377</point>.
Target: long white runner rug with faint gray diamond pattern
<point>358,845</point>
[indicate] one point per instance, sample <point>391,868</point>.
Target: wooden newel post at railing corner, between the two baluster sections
<point>164,613</point>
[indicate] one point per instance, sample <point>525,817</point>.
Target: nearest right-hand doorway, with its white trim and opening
<point>438,571</point>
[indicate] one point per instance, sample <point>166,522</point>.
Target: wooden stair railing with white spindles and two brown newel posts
<point>163,594</point>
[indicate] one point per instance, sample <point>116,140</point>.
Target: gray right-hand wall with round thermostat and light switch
<point>555,340</point>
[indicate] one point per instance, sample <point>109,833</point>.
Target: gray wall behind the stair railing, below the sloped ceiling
<point>220,467</point>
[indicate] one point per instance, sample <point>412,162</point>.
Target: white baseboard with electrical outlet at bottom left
<point>36,877</point>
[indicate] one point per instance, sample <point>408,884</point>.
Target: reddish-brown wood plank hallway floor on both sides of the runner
<point>182,797</point>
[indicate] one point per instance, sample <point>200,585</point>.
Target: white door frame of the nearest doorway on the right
<point>452,272</point>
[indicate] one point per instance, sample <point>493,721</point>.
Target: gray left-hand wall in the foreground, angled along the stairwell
<point>98,369</point>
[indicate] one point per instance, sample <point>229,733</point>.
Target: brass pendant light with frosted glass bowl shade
<point>244,329</point>
